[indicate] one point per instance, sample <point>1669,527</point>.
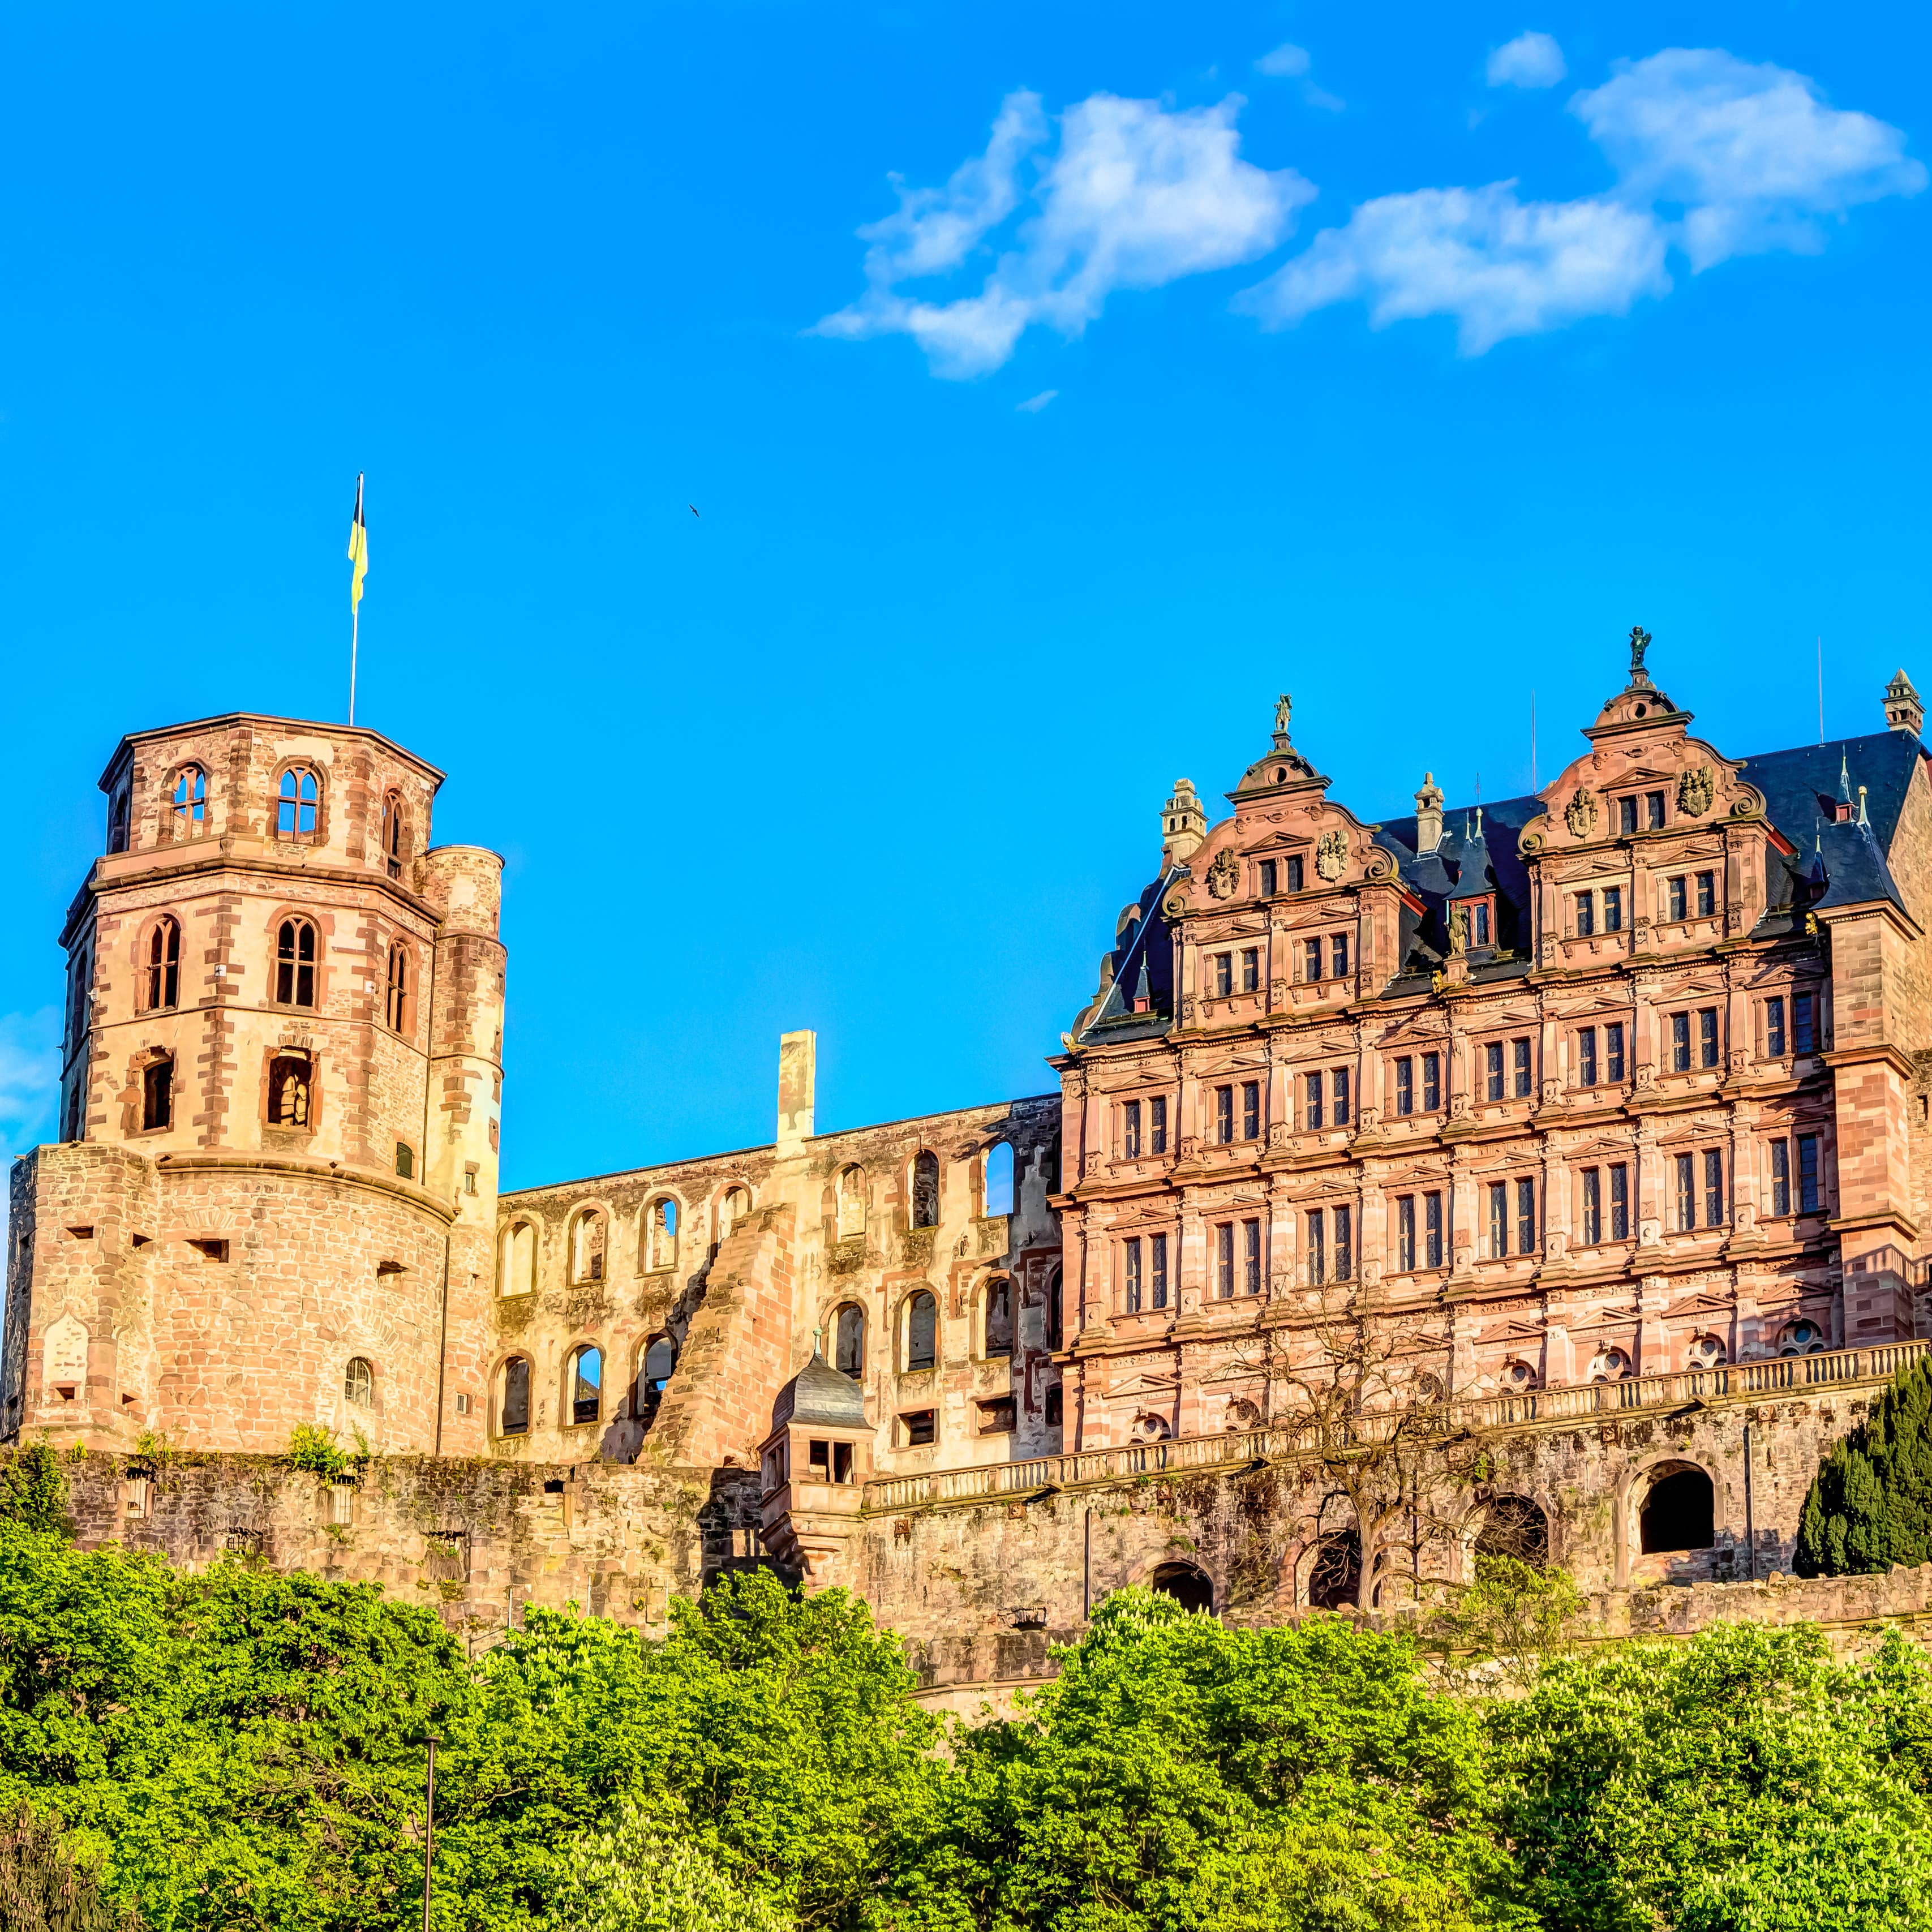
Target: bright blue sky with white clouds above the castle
<point>1394,356</point>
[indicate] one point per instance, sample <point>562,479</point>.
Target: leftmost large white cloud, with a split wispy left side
<point>1137,196</point>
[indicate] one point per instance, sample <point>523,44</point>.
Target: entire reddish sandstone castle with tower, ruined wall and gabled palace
<point>1606,1108</point>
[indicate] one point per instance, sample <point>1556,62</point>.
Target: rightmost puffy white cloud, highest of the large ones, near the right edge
<point>1749,152</point>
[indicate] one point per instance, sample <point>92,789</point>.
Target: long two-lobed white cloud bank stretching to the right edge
<point>1715,156</point>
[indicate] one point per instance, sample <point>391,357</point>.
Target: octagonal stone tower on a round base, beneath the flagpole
<point>275,1191</point>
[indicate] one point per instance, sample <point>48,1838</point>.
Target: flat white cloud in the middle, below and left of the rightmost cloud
<point>1504,268</point>
